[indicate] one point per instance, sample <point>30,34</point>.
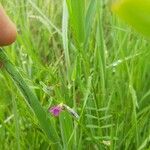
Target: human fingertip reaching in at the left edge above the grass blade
<point>8,30</point>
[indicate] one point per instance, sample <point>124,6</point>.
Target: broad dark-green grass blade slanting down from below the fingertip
<point>31,99</point>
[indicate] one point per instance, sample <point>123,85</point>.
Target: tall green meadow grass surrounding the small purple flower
<point>79,53</point>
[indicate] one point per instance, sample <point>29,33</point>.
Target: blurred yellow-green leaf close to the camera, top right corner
<point>136,13</point>
